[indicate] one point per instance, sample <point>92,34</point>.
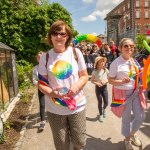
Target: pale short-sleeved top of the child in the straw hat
<point>101,75</point>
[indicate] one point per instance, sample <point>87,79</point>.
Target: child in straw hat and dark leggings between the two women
<point>100,79</point>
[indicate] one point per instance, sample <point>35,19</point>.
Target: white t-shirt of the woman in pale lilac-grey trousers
<point>119,69</point>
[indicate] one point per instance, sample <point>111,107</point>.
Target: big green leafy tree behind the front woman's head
<point>24,24</point>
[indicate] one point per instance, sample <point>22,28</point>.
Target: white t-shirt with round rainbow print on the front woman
<point>62,70</point>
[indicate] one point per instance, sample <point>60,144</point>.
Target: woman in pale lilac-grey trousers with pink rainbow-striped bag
<point>124,75</point>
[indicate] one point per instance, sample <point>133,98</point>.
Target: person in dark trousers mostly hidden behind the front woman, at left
<point>40,94</point>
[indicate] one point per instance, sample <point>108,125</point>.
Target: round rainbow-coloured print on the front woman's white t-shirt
<point>62,69</point>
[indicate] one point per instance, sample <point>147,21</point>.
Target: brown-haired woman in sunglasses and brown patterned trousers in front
<point>62,78</point>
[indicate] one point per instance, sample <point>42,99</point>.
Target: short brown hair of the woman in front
<point>57,26</point>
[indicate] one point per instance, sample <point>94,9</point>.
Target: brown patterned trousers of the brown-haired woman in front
<point>68,127</point>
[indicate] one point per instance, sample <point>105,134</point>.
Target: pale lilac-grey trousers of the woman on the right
<point>133,115</point>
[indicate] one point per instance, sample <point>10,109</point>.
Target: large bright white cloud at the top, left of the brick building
<point>101,9</point>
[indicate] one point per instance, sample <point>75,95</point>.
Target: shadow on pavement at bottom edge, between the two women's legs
<point>93,143</point>
